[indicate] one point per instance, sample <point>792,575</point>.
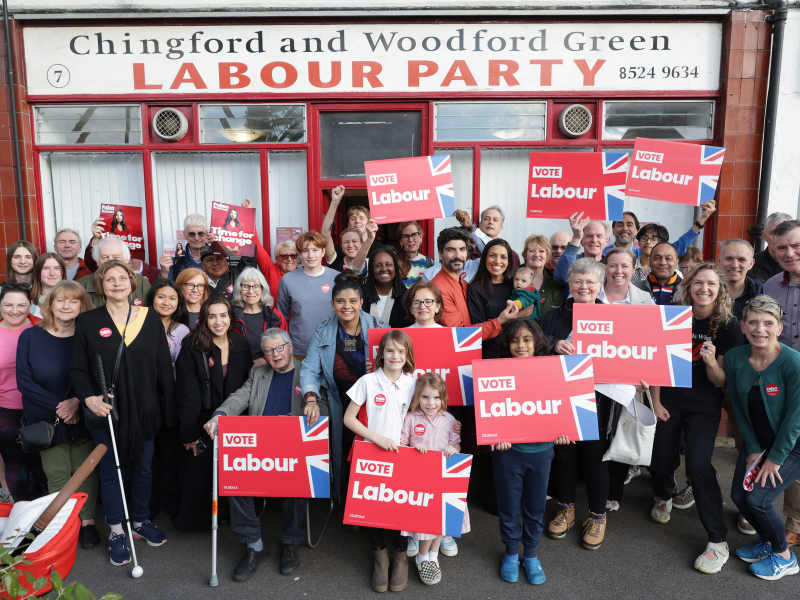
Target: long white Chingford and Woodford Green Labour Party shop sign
<point>364,58</point>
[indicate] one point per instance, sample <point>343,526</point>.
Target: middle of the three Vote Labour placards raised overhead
<point>563,183</point>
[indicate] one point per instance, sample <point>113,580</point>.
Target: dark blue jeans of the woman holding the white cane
<point>141,482</point>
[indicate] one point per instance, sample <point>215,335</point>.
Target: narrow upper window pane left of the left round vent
<point>67,125</point>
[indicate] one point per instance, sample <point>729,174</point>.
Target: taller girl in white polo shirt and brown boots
<point>385,396</point>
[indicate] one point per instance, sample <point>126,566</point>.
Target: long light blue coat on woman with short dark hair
<point>317,372</point>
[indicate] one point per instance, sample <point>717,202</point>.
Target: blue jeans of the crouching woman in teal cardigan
<point>756,506</point>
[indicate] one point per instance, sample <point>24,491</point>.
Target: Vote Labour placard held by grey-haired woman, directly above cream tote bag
<point>634,343</point>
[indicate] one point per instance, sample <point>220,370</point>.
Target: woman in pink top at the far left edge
<point>15,304</point>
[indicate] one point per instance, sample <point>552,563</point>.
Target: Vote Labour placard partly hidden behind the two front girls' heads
<point>448,351</point>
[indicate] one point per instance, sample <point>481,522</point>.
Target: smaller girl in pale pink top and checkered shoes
<point>428,426</point>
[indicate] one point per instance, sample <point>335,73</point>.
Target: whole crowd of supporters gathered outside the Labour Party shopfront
<point>197,338</point>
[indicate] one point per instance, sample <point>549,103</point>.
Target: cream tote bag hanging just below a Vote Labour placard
<point>632,443</point>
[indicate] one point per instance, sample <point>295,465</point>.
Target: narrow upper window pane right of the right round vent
<point>674,120</point>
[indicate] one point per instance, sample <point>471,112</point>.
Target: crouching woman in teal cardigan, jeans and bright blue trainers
<point>764,381</point>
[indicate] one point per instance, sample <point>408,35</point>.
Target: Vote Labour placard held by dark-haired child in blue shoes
<point>521,400</point>
